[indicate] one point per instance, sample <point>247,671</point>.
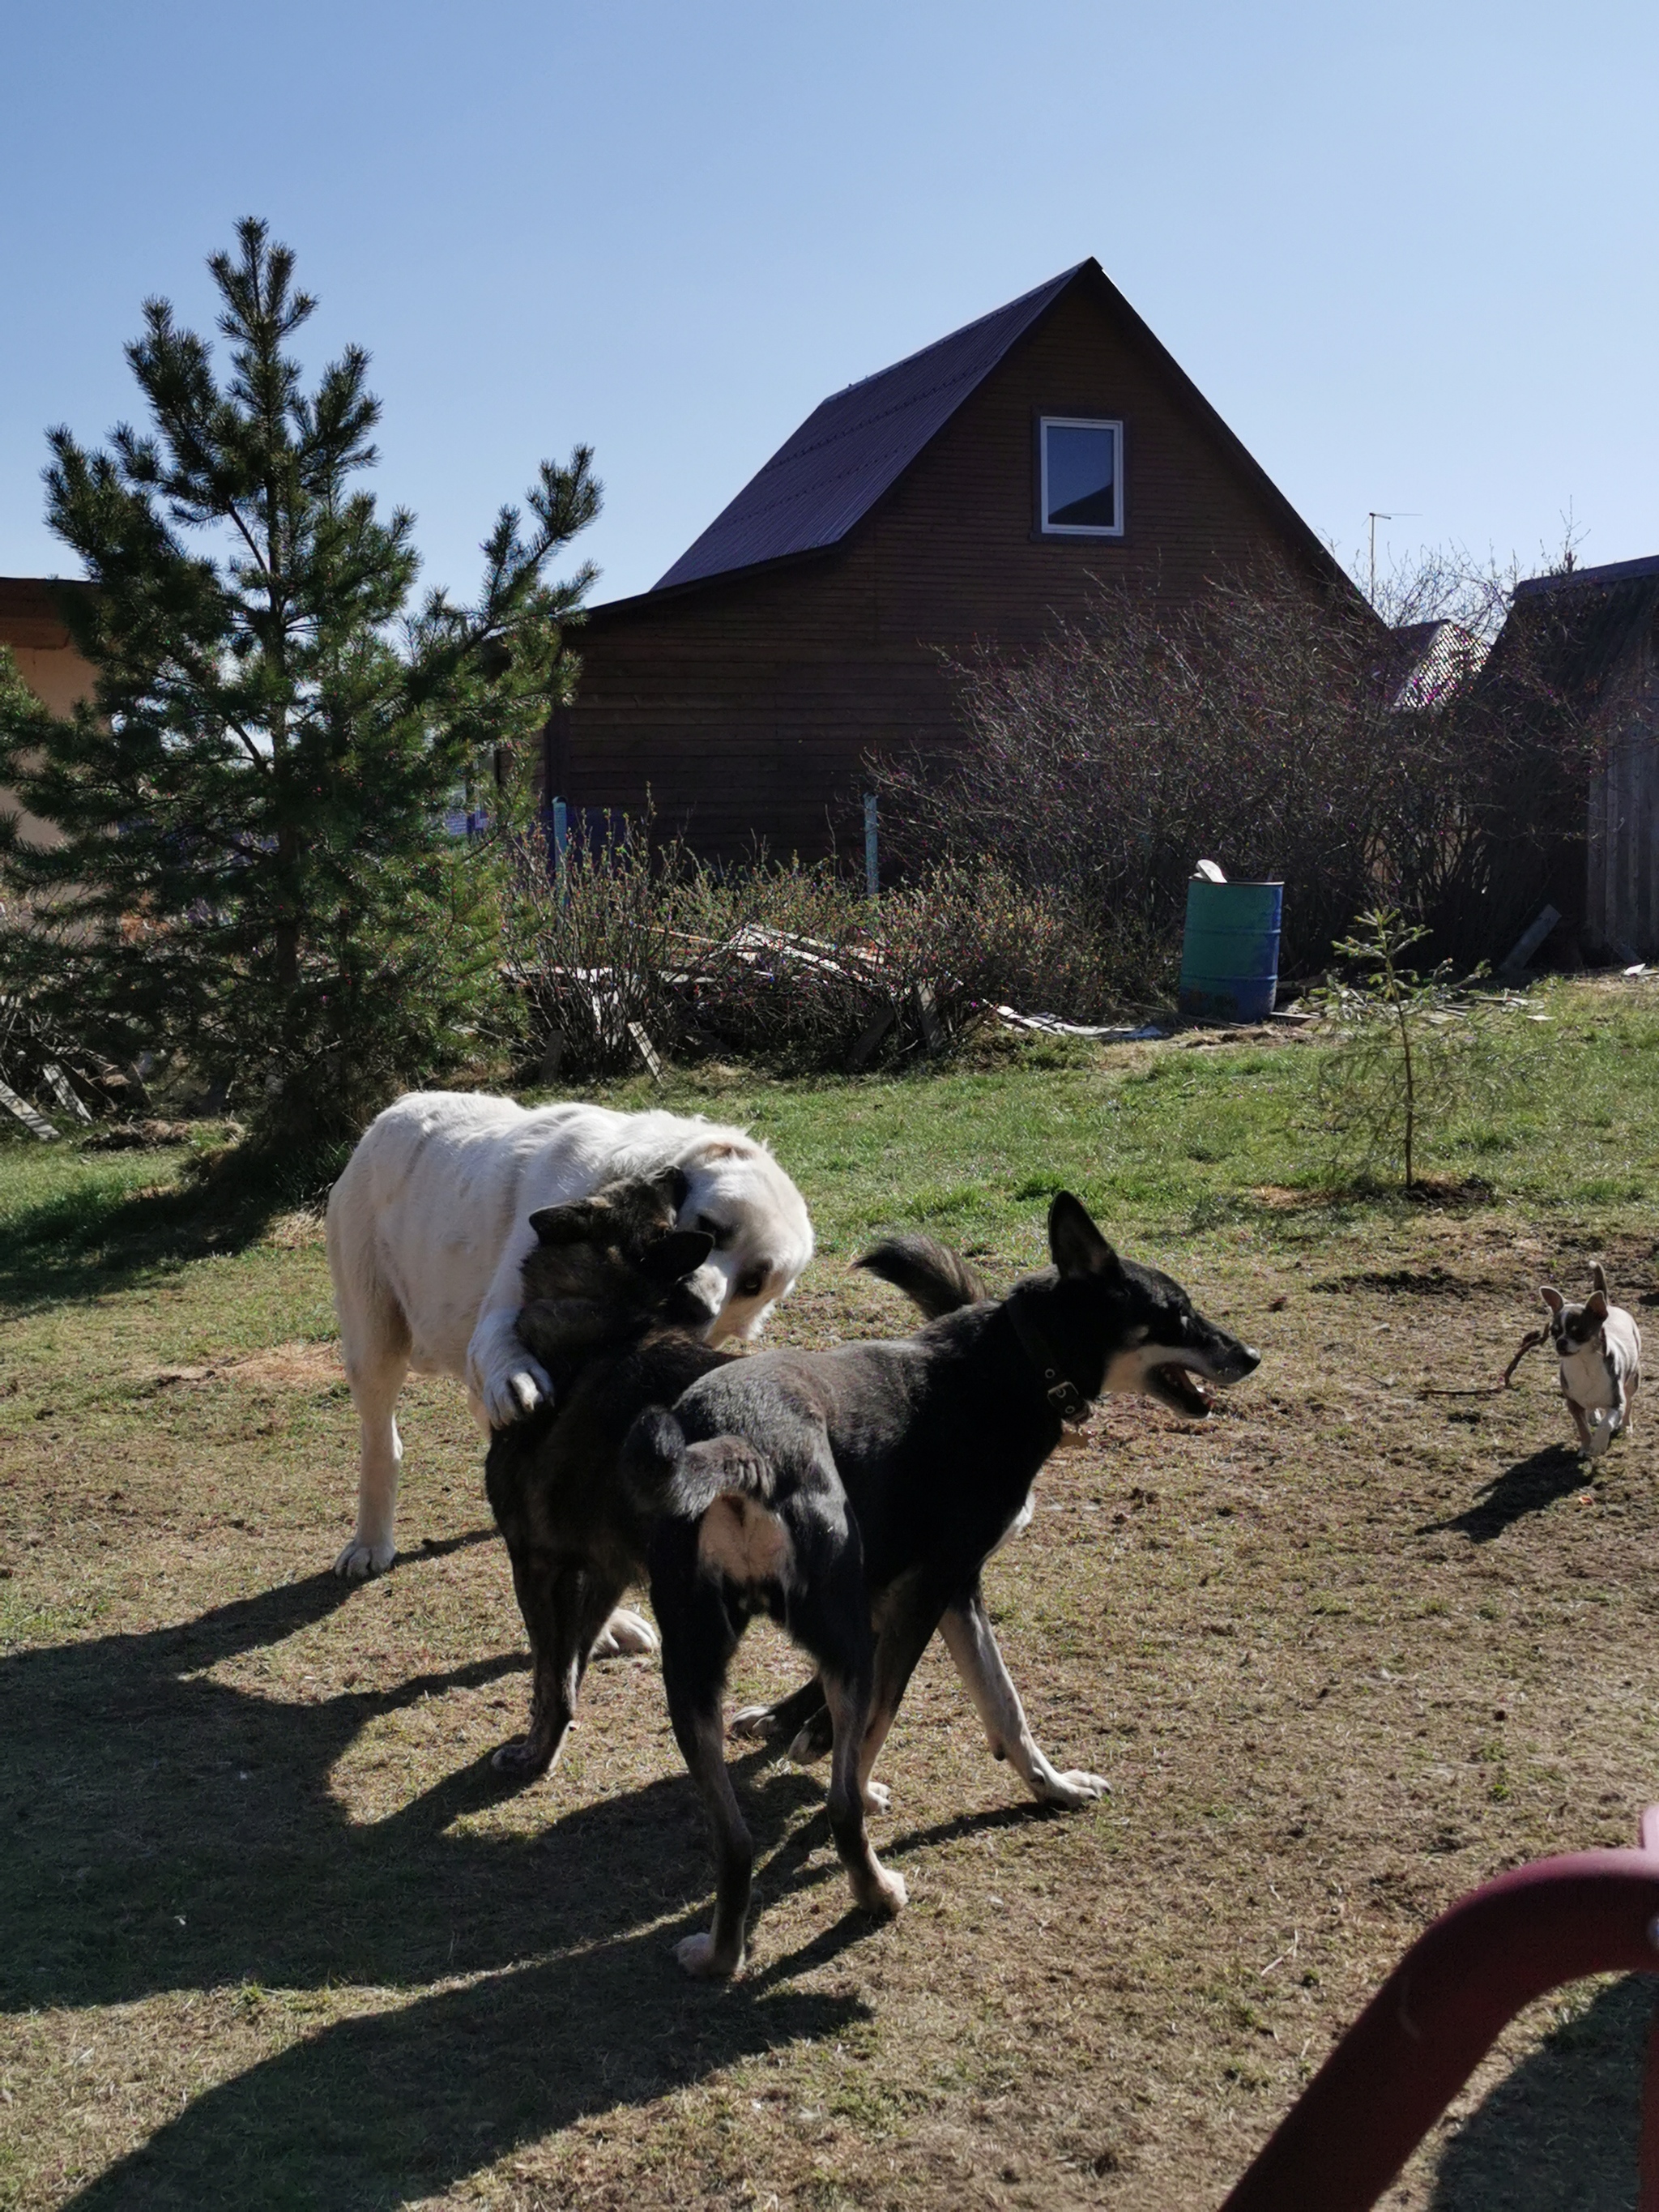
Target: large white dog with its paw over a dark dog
<point>428,1233</point>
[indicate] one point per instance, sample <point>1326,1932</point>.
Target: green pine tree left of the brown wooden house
<point>258,886</point>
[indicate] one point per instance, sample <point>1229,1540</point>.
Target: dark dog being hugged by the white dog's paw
<point>618,1322</point>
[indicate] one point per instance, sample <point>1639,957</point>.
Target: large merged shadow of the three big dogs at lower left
<point>163,1830</point>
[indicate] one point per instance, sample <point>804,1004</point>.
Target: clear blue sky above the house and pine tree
<point>1406,251</point>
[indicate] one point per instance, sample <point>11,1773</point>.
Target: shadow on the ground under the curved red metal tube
<point>1561,2133</point>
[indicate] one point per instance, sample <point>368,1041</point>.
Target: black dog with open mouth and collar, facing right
<point>910,1461</point>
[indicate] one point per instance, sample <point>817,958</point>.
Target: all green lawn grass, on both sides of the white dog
<point>1154,1138</point>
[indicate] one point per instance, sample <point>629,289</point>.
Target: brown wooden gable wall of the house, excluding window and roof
<point>744,707</point>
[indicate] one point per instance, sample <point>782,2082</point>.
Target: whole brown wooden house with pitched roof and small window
<point>966,497</point>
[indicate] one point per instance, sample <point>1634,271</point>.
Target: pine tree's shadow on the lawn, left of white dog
<point>96,1240</point>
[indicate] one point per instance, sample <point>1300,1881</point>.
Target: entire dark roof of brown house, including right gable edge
<point>859,444</point>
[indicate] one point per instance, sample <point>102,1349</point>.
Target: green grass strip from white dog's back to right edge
<point>1189,1136</point>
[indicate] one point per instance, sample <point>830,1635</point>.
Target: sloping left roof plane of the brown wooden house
<point>855,446</point>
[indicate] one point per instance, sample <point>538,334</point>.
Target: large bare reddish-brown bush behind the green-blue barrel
<point>1262,727</point>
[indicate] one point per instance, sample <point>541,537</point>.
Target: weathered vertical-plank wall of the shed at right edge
<point>1623,890</point>
